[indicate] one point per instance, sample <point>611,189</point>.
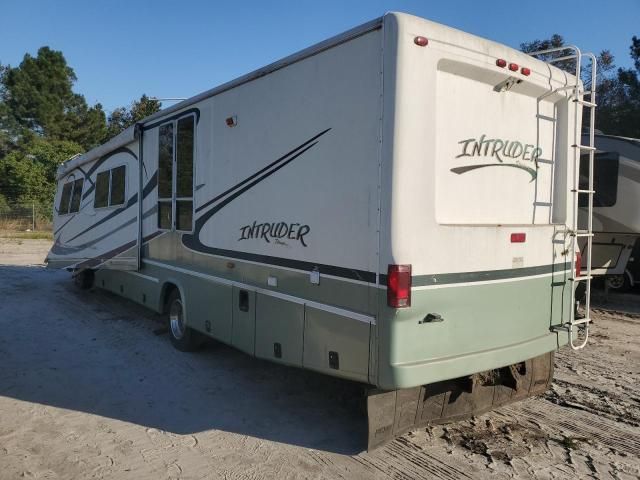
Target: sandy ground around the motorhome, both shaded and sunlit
<point>90,387</point>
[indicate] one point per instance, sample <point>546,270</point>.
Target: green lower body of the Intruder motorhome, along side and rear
<point>480,326</point>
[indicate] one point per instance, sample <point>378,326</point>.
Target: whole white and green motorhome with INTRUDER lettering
<point>396,206</point>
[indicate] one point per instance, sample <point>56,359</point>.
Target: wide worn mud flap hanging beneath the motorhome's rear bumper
<point>392,413</point>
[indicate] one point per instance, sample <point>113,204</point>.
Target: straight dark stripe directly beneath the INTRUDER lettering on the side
<point>343,272</point>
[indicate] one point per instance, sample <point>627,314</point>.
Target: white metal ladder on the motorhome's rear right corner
<point>576,324</point>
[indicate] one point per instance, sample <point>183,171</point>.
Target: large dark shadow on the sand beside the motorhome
<point>97,353</point>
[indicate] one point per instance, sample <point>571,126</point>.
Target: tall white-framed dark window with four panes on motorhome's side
<point>176,162</point>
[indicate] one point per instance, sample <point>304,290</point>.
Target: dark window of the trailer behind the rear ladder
<point>605,179</point>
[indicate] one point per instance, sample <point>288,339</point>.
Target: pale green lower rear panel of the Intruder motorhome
<point>460,330</point>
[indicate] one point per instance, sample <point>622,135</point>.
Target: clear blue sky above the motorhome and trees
<point>120,49</point>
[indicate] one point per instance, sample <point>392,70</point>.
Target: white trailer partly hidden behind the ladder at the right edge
<point>616,207</point>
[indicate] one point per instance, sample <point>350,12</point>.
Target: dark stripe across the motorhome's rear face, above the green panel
<point>469,277</point>
